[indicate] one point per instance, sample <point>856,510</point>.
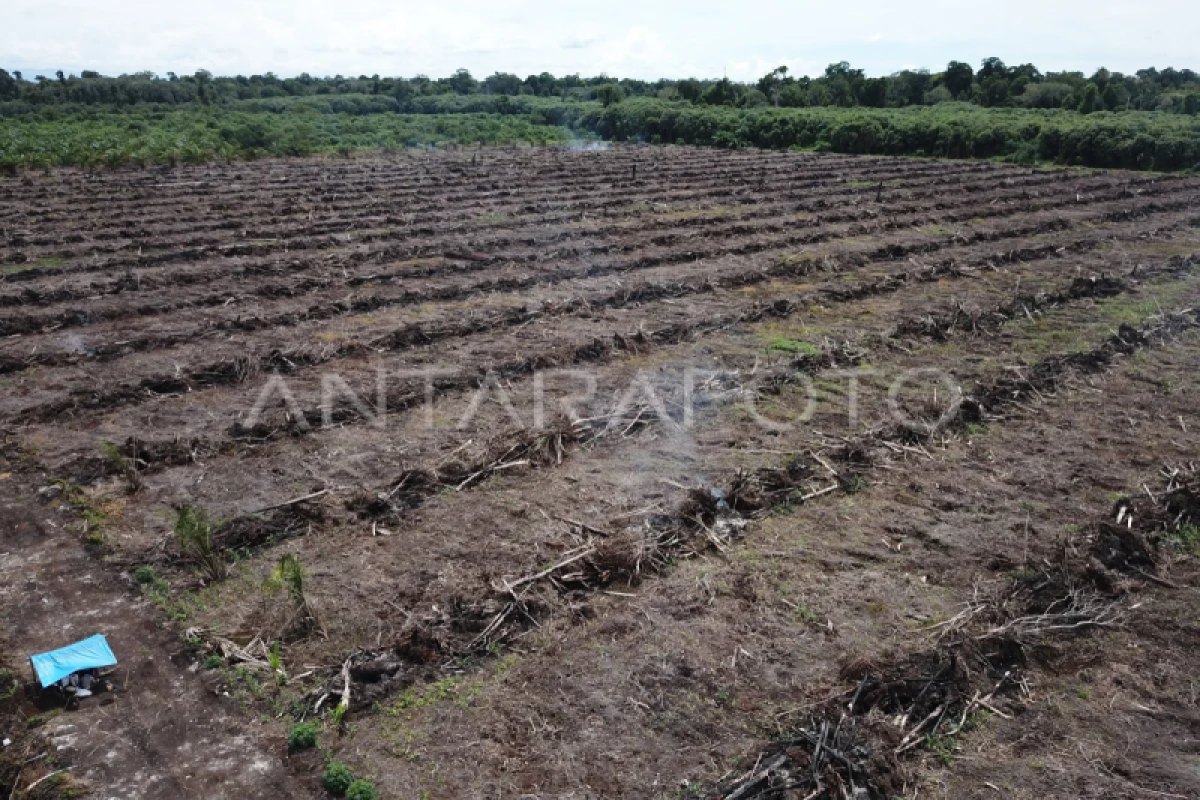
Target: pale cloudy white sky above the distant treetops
<point>622,38</point>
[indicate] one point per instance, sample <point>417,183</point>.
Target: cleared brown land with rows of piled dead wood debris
<point>705,575</point>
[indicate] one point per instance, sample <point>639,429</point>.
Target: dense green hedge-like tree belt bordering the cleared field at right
<point>1129,141</point>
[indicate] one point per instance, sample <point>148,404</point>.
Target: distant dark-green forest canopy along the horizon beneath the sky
<point>994,85</point>
